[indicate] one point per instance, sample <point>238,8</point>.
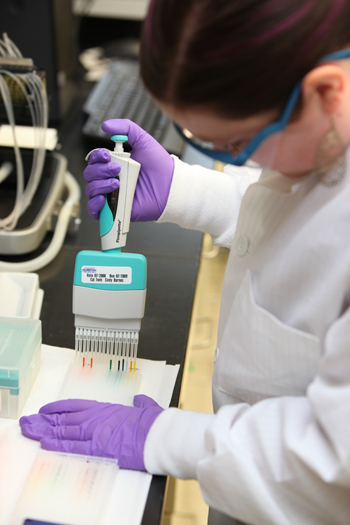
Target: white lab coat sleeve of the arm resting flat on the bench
<point>282,461</point>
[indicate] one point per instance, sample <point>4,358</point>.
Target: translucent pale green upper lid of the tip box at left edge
<point>19,342</point>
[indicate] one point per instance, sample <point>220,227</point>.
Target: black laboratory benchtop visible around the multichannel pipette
<point>172,257</point>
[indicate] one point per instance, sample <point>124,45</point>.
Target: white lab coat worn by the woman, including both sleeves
<point>277,450</point>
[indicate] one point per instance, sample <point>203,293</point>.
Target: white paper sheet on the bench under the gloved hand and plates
<point>17,453</point>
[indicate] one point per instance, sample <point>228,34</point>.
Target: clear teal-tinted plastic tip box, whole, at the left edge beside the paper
<point>20,348</point>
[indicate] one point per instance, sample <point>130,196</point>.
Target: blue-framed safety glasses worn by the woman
<point>265,143</point>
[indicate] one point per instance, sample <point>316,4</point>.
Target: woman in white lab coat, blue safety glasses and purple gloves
<point>277,449</point>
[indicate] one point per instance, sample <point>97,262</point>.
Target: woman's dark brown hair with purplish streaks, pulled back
<point>237,57</point>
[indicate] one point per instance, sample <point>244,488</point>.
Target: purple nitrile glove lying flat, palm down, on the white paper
<point>87,427</point>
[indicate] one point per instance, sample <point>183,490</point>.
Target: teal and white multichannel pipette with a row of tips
<point>109,291</point>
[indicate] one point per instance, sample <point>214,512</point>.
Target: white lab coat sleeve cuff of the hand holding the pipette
<point>207,200</point>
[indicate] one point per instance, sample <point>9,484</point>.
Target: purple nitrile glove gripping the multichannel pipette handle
<point>156,173</point>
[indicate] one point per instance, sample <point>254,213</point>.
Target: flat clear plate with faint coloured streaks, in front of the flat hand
<point>66,488</point>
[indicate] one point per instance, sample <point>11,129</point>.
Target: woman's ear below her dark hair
<point>326,86</point>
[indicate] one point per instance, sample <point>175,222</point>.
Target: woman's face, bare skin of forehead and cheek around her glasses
<point>291,152</point>
